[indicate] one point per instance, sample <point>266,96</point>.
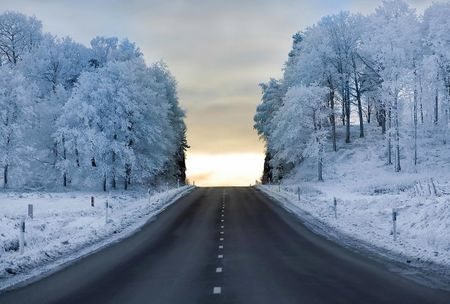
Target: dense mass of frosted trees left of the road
<point>84,116</point>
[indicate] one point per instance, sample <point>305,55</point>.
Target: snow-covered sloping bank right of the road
<point>367,191</point>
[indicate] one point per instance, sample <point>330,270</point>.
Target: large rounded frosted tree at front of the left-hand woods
<point>124,128</point>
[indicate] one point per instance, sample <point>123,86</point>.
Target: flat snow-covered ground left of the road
<point>66,227</point>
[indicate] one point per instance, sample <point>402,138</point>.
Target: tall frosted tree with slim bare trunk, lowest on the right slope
<point>394,30</point>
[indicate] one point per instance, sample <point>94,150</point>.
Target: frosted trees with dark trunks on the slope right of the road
<point>392,66</point>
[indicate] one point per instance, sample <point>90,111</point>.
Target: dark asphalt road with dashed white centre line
<point>225,245</point>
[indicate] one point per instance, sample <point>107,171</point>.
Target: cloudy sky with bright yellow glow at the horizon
<point>219,51</point>
